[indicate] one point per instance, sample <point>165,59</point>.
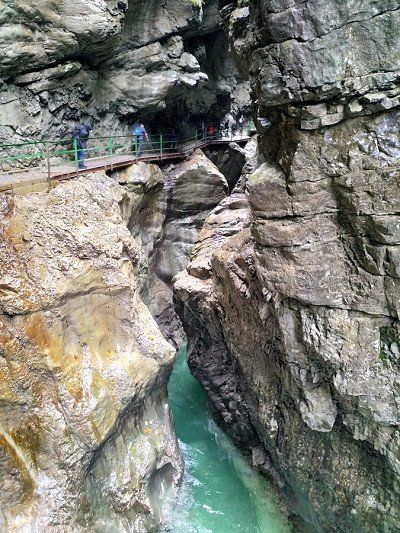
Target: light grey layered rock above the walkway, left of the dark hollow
<point>100,61</point>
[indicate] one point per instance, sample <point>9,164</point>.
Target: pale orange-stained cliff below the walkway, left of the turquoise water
<point>86,440</point>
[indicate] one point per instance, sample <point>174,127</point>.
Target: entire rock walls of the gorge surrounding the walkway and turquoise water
<point>278,262</point>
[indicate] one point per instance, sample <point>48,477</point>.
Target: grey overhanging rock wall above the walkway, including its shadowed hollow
<point>111,63</point>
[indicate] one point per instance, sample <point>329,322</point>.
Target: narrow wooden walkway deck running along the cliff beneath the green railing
<point>16,180</point>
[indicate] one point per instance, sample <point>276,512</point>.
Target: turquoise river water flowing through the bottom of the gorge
<point>220,493</point>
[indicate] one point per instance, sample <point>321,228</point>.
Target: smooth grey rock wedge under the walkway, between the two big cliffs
<point>165,210</point>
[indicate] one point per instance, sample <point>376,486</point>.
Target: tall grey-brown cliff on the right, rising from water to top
<point>293,325</point>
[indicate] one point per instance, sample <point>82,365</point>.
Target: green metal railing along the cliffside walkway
<point>47,154</point>
